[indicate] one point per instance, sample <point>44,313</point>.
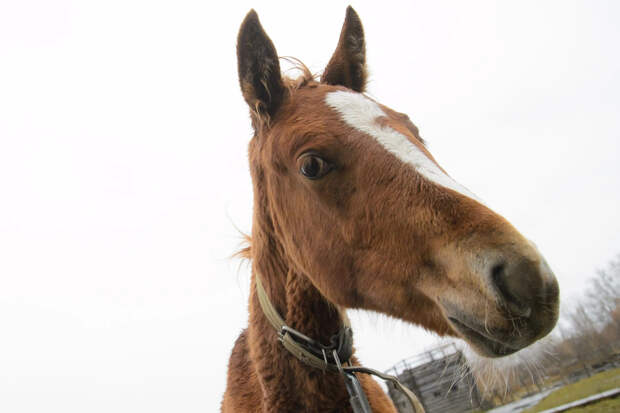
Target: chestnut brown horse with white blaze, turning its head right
<point>352,211</point>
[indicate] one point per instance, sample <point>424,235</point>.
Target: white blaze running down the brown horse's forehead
<point>361,113</point>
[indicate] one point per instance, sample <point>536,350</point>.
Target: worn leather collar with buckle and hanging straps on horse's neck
<point>334,357</point>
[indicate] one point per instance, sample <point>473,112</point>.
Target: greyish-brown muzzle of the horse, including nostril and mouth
<point>519,303</point>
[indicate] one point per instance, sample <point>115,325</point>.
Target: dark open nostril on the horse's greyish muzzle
<point>512,288</point>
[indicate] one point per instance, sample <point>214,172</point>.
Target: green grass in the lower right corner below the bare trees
<point>583,388</point>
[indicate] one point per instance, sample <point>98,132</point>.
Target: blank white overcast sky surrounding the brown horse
<point>123,172</point>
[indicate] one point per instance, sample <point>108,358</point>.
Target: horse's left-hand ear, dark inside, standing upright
<point>259,68</point>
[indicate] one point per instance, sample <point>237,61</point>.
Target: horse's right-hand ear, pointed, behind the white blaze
<point>347,67</point>
